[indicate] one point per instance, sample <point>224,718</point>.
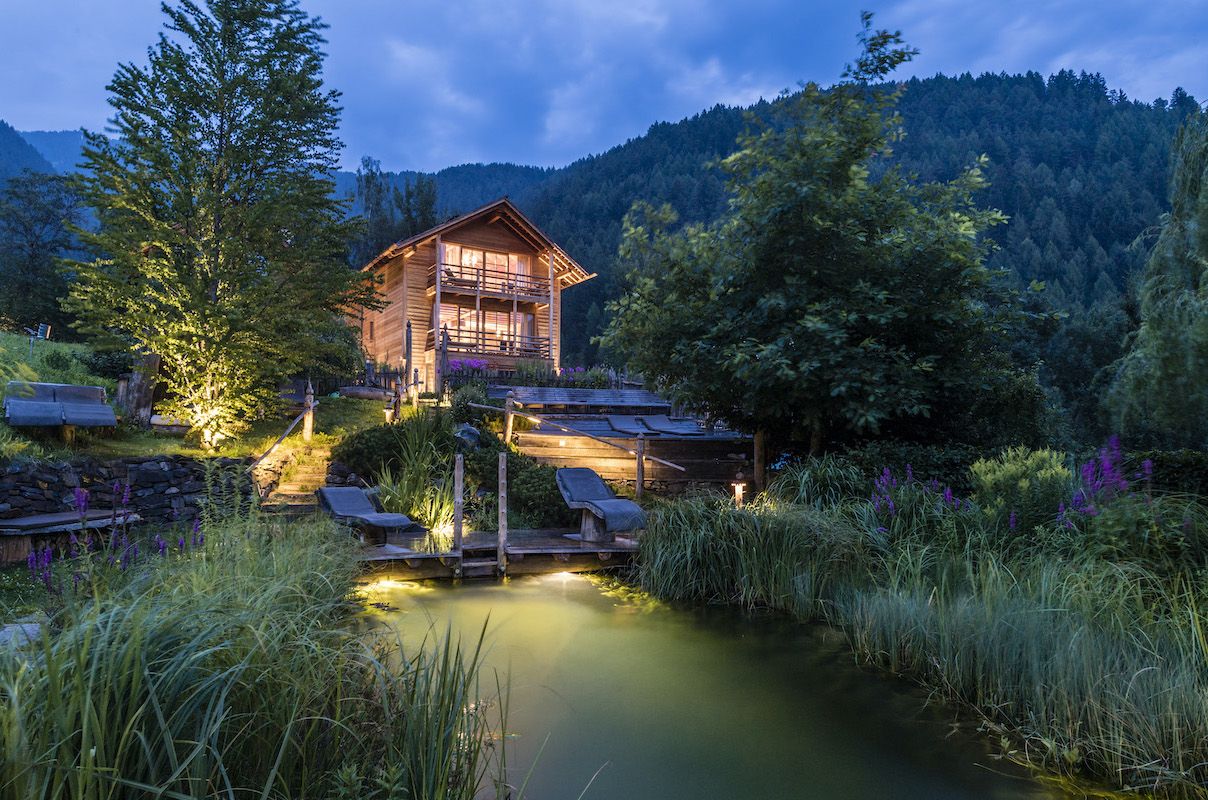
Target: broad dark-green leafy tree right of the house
<point>838,297</point>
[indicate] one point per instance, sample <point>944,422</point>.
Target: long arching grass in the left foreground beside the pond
<point>243,670</point>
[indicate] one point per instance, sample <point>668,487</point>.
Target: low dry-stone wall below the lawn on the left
<point>164,489</point>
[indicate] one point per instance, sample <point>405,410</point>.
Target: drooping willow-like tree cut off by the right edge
<point>1161,386</point>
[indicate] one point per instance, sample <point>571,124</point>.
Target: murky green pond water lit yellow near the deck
<point>635,700</point>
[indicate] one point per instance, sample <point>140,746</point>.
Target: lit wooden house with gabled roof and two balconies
<point>490,280</point>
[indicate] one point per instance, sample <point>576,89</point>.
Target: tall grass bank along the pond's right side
<point>1093,659</point>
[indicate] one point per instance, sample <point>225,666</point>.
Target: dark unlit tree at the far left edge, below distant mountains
<point>37,212</point>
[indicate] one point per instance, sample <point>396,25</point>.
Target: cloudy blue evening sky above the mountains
<point>429,84</point>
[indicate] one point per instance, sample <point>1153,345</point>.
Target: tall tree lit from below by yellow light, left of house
<point>220,246</point>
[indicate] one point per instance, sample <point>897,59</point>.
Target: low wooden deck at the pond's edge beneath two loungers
<point>526,553</point>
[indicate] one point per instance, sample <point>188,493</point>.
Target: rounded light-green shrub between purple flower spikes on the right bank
<point>1024,488</point>
